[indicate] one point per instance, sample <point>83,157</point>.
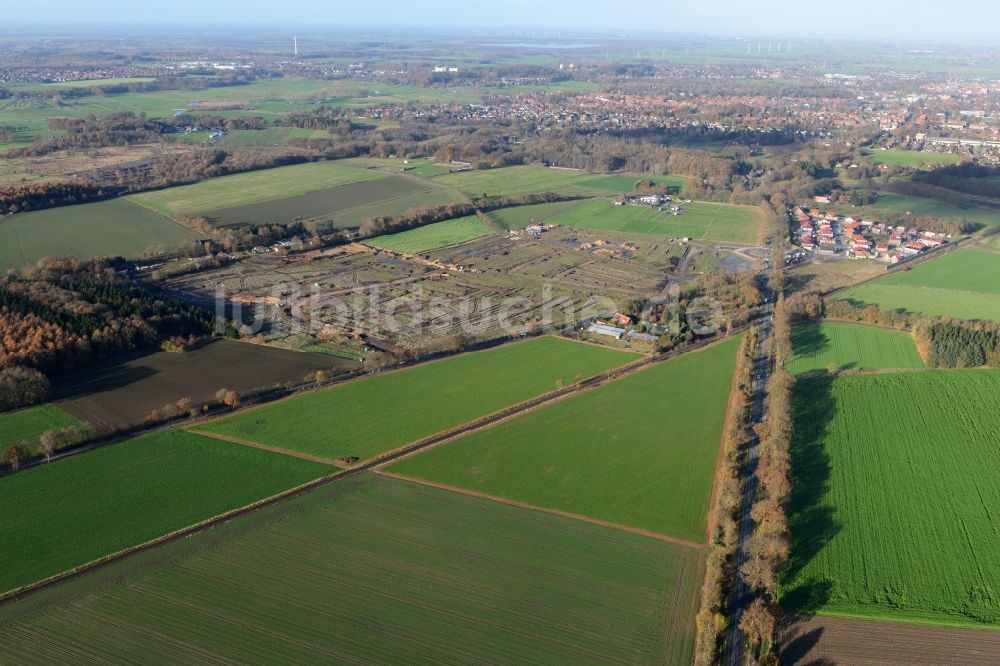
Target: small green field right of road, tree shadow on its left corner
<point>850,346</point>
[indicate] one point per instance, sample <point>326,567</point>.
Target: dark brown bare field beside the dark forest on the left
<point>125,391</point>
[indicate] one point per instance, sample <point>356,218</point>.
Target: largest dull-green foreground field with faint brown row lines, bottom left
<point>375,570</point>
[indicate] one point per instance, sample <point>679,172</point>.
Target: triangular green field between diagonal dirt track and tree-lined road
<point>639,452</point>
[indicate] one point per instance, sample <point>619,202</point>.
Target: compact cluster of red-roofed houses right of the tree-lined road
<point>831,234</point>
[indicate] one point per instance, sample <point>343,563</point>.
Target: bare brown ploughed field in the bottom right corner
<point>834,640</point>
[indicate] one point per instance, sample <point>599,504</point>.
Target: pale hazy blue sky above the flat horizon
<point>894,20</point>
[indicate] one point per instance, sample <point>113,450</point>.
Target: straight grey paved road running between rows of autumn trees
<point>741,596</point>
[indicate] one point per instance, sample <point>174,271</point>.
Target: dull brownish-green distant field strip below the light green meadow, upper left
<point>382,196</point>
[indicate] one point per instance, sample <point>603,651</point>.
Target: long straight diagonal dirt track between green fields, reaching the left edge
<point>366,466</point>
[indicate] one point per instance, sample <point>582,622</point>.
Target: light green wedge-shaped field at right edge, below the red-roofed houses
<point>963,284</point>
